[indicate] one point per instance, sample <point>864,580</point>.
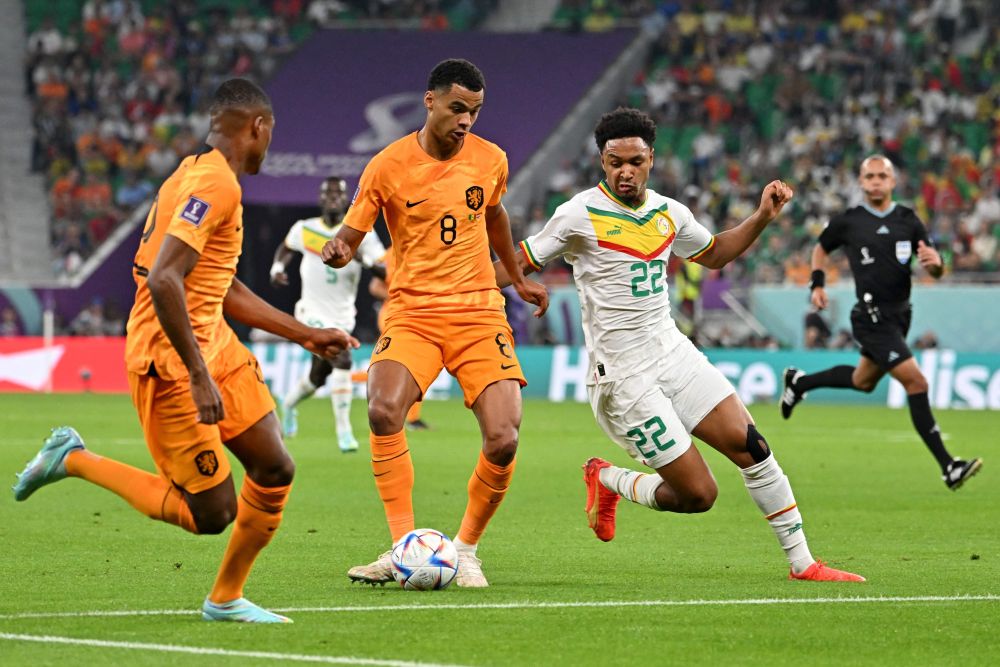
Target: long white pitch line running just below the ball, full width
<point>989,597</point>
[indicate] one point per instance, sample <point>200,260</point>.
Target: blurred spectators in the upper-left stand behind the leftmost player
<point>119,97</point>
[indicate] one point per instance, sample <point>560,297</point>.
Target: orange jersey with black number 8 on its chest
<point>436,214</point>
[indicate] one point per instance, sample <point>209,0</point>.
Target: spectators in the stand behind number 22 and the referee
<point>746,91</point>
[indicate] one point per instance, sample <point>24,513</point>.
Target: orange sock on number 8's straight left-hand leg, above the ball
<point>393,470</point>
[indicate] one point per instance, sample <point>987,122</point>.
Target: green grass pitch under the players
<point>708,589</point>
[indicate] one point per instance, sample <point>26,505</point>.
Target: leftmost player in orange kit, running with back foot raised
<point>195,387</point>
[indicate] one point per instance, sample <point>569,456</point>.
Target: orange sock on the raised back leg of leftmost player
<point>150,494</point>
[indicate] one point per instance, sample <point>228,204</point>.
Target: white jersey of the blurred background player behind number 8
<point>328,294</point>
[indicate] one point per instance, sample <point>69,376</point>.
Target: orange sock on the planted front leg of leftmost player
<point>258,514</point>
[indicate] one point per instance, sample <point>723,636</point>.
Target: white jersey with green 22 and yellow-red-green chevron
<point>619,255</point>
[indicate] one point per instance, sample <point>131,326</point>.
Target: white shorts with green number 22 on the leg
<point>651,414</point>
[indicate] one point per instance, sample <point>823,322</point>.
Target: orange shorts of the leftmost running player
<point>189,454</point>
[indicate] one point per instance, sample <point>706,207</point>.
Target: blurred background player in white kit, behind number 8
<point>328,297</point>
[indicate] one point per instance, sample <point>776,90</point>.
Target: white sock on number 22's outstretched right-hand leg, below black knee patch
<point>769,488</point>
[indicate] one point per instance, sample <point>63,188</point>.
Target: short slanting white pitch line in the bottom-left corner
<point>205,650</point>
